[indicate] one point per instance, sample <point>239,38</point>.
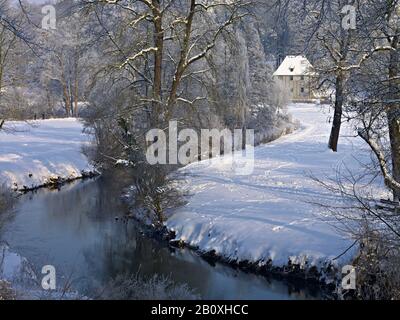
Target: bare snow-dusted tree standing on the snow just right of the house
<point>339,48</point>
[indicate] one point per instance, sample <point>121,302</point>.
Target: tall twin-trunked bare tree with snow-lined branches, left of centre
<point>173,47</point>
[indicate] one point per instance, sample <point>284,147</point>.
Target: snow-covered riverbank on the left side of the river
<point>33,153</point>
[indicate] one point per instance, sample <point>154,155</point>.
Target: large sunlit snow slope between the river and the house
<point>268,215</point>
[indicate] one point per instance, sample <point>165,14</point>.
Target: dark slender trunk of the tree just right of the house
<point>337,118</point>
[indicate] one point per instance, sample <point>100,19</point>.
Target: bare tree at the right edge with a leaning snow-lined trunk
<point>375,90</point>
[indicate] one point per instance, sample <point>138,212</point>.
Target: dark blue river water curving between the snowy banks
<point>76,231</point>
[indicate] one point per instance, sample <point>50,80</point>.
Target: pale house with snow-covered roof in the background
<point>296,74</point>
